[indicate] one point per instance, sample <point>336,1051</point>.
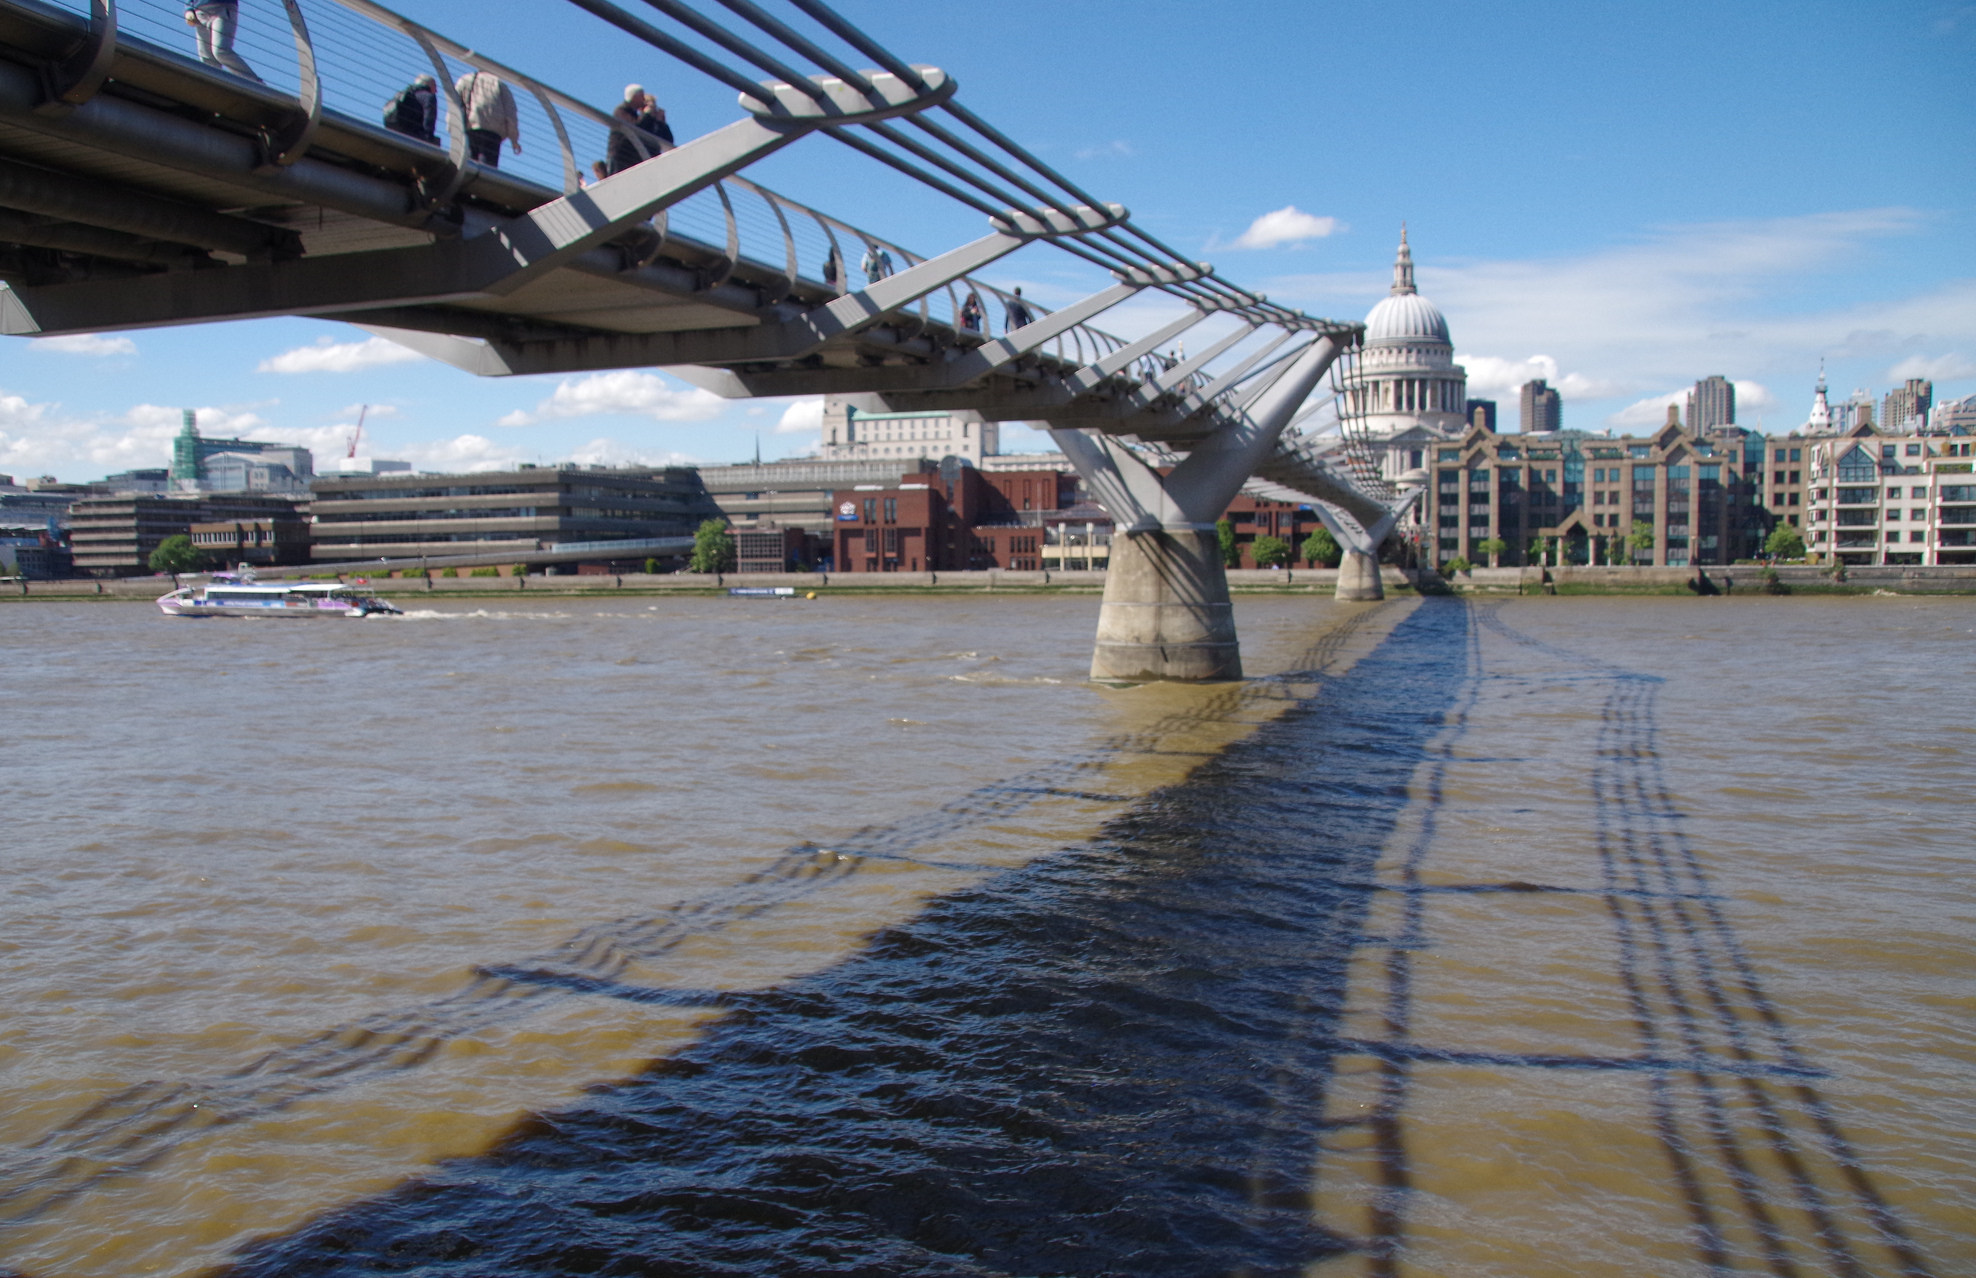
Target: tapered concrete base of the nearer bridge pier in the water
<point>1167,611</point>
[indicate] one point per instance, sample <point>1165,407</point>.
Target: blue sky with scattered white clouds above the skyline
<point>1617,199</point>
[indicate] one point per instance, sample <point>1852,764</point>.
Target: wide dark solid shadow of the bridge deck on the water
<point>1111,1062</point>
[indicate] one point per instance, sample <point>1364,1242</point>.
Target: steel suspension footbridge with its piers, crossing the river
<point>147,187</point>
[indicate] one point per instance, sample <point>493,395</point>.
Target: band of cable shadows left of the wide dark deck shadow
<point>139,1127</point>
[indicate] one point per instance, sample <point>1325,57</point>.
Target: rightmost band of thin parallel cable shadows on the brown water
<point>1764,1168</point>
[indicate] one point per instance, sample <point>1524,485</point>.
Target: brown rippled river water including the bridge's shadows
<point>866,937</point>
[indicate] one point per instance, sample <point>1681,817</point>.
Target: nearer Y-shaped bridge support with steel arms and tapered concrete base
<point>1167,611</point>
